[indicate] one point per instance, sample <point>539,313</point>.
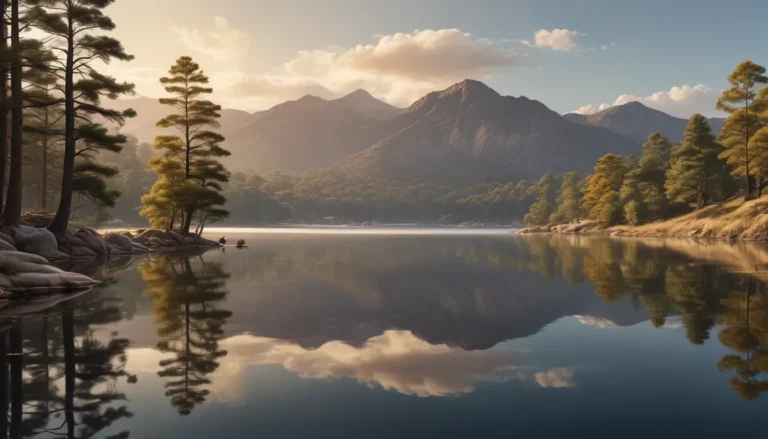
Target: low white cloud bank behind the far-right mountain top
<point>682,101</point>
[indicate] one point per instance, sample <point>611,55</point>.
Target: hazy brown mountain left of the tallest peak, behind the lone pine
<point>301,135</point>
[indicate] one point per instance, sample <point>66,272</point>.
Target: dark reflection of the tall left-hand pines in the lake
<point>61,373</point>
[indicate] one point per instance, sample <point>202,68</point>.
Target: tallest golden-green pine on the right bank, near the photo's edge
<point>739,101</point>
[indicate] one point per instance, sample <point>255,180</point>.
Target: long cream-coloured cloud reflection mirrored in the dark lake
<point>395,360</point>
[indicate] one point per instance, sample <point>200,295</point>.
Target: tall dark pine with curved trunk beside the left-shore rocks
<point>71,25</point>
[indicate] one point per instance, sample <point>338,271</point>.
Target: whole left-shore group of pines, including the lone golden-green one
<point>59,148</point>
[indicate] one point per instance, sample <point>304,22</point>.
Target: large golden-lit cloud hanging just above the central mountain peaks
<point>398,68</point>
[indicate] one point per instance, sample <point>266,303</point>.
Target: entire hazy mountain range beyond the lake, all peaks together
<point>464,134</point>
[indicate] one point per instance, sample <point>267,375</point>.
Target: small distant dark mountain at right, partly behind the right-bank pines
<point>635,121</point>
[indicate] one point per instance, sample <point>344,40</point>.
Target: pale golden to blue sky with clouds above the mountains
<point>572,55</point>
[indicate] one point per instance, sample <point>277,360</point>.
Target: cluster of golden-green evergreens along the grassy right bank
<point>669,179</point>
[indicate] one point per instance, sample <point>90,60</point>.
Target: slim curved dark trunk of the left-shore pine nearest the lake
<point>61,220</point>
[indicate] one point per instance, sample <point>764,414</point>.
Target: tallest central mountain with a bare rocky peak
<point>468,133</point>
